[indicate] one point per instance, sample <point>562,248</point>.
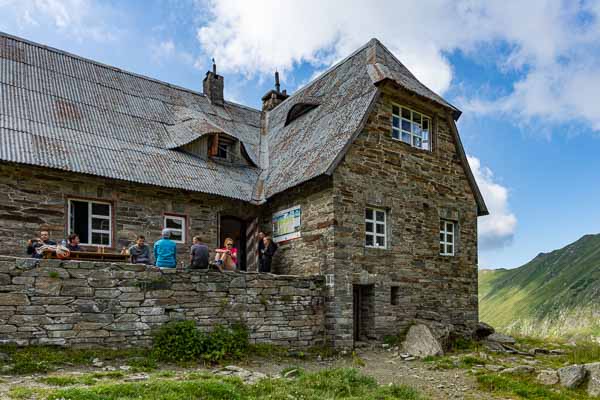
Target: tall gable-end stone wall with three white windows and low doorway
<point>416,188</point>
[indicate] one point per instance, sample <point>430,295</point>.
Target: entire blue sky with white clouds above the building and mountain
<point>525,74</point>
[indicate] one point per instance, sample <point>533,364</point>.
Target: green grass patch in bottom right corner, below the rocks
<point>525,388</point>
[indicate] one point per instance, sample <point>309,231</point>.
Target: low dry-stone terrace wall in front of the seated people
<point>118,305</point>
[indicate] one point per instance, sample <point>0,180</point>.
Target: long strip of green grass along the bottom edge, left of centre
<point>328,384</point>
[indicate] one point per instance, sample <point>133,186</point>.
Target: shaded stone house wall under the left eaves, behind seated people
<point>33,197</point>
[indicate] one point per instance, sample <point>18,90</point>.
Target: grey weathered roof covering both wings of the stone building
<point>59,110</point>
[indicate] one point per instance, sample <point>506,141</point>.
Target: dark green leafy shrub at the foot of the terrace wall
<point>182,341</point>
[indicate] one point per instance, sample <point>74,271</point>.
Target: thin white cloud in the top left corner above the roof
<point>79,19</point>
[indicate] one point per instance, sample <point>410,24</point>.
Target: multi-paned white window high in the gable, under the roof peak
<point>411,127</point>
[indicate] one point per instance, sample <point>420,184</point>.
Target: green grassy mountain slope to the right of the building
<point>555,294</point>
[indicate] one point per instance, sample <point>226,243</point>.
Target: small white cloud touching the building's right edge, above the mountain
<point>497,229</point>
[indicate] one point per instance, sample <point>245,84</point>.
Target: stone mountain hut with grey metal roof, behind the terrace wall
<point>360,175</point>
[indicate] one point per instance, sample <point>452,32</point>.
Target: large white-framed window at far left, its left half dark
<point>92,221</point>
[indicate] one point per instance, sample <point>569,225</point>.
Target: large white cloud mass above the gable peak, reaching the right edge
<point>554,45</point>
